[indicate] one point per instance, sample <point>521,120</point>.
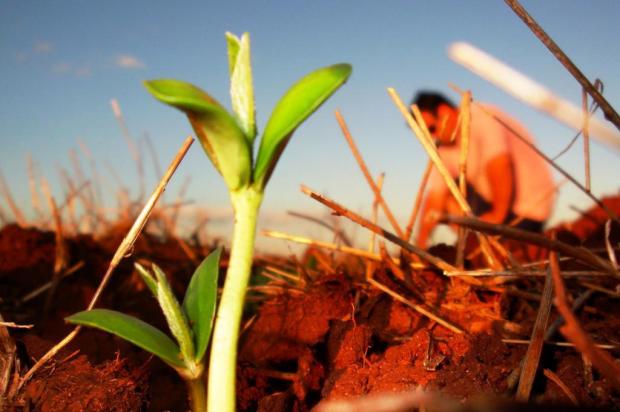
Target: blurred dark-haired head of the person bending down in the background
<point>439,113</point>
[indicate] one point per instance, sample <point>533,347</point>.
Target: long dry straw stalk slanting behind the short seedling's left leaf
<point>123,250</point>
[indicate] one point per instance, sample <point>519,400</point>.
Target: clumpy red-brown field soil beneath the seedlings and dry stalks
<point>329,334</point>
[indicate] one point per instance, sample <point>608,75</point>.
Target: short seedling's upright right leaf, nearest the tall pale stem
<point>200,301</point>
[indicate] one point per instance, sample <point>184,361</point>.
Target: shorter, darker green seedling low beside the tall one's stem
<point>190,324</point>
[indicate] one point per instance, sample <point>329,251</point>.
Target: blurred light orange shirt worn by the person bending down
<point>534,186</point>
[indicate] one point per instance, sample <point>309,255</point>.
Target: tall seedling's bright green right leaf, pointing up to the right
<point>299,102</point>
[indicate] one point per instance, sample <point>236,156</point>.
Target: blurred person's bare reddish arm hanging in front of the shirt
<point>500,173</point>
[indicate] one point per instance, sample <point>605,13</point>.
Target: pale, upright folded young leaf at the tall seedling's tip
<point>241,87</point>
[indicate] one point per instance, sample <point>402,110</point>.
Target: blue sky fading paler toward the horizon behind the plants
<point>61,63</point>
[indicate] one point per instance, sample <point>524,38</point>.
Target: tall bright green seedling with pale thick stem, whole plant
<point>228,140</point>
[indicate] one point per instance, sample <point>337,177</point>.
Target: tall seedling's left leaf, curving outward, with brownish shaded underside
<point>218,132</point>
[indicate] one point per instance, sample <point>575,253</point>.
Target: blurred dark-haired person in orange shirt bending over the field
<point>507,181</point>
